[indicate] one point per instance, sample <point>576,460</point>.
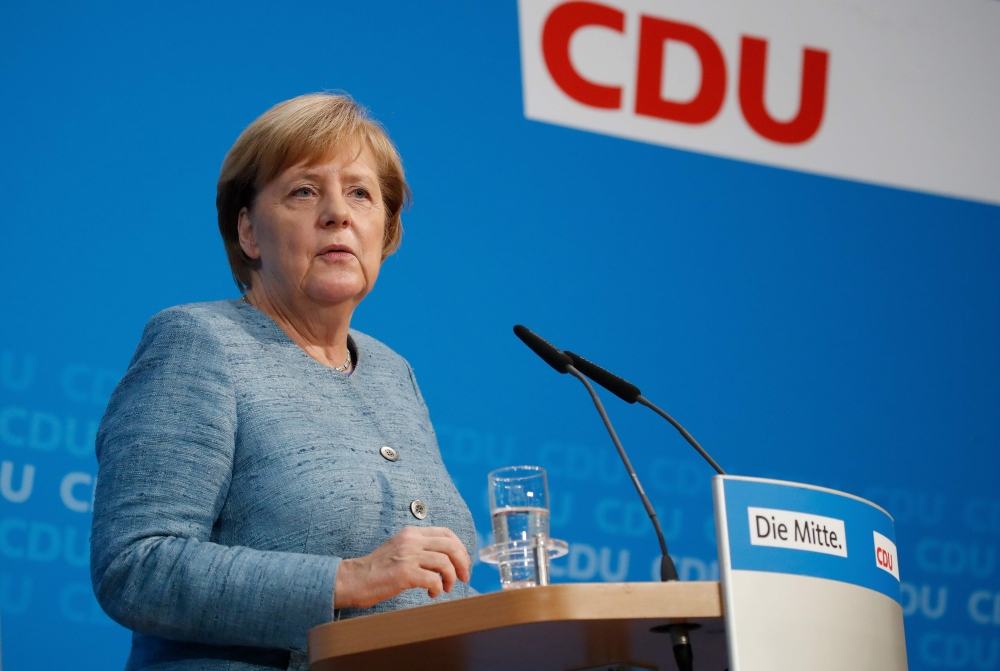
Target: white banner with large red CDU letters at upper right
<point>903,93</point>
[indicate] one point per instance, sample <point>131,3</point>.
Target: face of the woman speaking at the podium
<point>317,230</point>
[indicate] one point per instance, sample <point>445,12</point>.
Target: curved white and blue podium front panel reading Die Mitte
<point>810,578</point>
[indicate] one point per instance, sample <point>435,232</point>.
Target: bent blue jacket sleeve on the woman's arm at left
<point>165,451</point>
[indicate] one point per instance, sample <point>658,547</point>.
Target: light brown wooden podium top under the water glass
<point>568,626</point>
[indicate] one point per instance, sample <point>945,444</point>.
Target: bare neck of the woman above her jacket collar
<point>320,330</point>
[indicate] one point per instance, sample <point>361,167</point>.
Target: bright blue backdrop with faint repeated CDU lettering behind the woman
<point>801,327</point>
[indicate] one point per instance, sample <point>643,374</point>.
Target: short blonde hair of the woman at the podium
<point>309,128</point>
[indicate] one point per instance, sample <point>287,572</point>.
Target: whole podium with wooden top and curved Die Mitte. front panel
<point>810,580</point>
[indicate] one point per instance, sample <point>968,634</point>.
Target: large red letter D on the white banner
<point>648,100</point>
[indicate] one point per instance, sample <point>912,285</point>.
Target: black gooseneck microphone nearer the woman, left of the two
<point>562,363</point>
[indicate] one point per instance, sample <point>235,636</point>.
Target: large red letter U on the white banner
<point>812,100</point>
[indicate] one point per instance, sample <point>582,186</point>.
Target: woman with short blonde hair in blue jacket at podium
<point>263,467</point>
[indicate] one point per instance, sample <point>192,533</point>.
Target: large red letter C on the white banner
<point>558,31</point>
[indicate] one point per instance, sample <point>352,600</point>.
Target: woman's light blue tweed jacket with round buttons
<point>236,472</point>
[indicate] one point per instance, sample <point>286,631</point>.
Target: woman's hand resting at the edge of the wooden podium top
<point>431,558</point>
